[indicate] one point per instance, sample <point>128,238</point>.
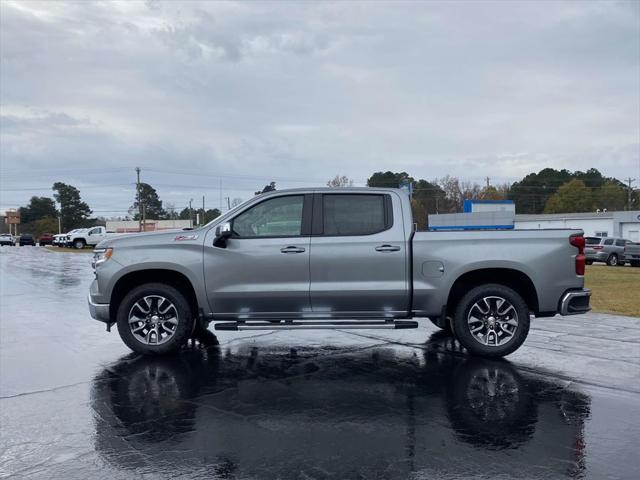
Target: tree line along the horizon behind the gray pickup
<point>547,191</point>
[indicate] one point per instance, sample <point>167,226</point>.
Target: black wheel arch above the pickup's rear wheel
<point>511,278</point>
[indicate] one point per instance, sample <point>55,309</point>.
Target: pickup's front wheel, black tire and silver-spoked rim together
<point>154,318</point>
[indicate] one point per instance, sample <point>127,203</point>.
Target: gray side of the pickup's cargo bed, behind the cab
<point>442,257</point>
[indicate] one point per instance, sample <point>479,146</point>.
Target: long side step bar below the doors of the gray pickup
<point>314,325</point>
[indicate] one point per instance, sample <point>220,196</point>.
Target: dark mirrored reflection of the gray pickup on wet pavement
<point>263,412</point>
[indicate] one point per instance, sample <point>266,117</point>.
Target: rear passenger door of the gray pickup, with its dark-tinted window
<point>358,256</point>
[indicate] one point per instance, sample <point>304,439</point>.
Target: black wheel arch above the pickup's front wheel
<point>130,280</point>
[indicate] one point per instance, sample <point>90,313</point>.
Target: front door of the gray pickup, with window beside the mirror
<point>263,272</point>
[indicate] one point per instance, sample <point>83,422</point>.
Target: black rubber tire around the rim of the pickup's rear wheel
<point>471,342</point>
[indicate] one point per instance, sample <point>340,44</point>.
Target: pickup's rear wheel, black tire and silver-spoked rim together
<point>491,321</point>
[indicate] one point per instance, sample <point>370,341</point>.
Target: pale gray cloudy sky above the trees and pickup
<point>207,95</point>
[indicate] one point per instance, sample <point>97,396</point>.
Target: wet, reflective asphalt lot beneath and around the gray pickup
<point>75,403</point>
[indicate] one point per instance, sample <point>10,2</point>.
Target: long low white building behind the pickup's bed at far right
<point>600,224</point>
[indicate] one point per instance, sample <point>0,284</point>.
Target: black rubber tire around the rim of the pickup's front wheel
<point>184,316</point>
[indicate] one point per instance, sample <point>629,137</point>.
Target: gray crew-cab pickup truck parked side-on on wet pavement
<point>335,258</point>
